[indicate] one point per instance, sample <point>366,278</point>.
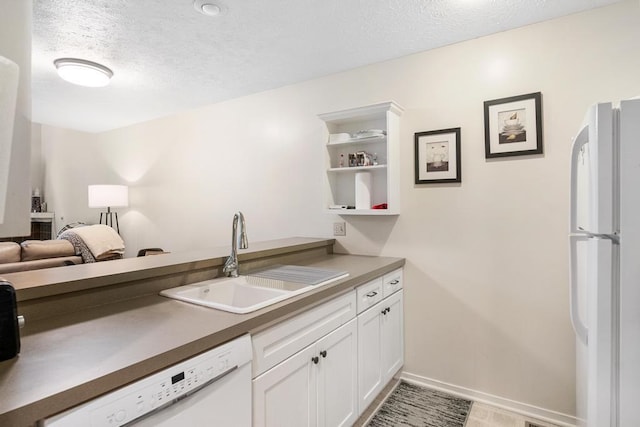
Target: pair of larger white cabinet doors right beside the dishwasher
<point>315,387</point>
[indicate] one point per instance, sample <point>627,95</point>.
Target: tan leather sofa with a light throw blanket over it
<point>86,244</point>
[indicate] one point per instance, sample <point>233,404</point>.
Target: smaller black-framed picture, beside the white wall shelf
<point>437,156</point>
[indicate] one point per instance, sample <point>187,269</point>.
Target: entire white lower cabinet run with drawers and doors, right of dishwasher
<point>325,366</point>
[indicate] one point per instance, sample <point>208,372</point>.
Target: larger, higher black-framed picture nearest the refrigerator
<point>513,126</point>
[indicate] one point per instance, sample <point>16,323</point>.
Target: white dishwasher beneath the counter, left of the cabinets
<point>211,389</point>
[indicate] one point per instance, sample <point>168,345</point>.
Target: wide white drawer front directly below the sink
<point>279,342</point>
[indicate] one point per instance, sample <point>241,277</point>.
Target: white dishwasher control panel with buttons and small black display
<point>159,390</point>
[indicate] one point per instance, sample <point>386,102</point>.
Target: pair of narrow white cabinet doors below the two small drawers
<point>380,346</point>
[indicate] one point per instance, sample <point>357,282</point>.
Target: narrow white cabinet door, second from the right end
<point>369,355</point>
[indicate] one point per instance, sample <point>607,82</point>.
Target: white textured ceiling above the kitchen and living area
<point>167,57</point>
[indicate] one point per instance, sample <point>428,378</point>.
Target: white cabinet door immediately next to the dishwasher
<point>285,396</point>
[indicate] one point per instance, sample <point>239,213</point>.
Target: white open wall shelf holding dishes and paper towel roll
<point>385,176</point>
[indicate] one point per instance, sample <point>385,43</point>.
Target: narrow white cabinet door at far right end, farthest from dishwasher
<point>392,335</point>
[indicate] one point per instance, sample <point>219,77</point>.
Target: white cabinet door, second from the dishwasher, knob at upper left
<point>338,377</point>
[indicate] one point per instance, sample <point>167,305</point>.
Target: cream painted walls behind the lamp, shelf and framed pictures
<point>486,296</point>
